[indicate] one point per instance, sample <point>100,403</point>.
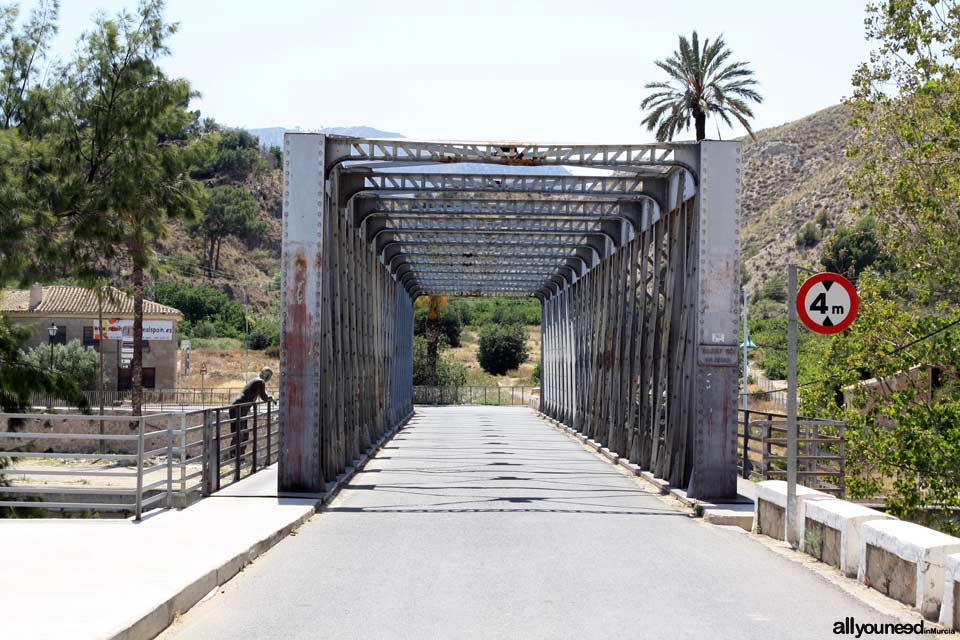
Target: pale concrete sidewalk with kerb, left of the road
<point>92,579</point>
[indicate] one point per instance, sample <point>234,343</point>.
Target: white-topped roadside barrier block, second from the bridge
<point>830,531</point>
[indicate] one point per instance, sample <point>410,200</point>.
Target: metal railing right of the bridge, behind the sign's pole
<point>762,450</point>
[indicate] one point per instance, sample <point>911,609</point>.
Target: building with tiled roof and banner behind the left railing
<point>60,313</point>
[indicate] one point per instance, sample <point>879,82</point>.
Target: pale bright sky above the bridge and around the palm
<point>546,71</point>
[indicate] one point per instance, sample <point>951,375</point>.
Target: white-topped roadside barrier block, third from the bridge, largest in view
<point>906,562</point>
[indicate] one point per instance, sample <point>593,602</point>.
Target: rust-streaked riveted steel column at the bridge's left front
<point>304,205</point>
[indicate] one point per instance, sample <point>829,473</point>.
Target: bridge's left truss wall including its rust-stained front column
<point>346,356</point>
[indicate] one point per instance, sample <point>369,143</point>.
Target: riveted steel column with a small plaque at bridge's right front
<point>714,471</point>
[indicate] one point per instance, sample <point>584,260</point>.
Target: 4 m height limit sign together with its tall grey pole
<point>826,303</point>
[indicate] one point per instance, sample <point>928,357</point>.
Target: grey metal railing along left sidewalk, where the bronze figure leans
<point>70,463</point>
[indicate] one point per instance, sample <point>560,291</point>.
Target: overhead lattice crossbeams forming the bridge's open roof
<point>523,232</point>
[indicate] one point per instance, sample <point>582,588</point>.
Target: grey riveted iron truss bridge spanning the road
<point>632,250</point>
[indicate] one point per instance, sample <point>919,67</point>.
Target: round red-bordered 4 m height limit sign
<point>827,303</point>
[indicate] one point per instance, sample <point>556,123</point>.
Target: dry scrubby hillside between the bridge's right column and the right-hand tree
<point>792,173</point>
